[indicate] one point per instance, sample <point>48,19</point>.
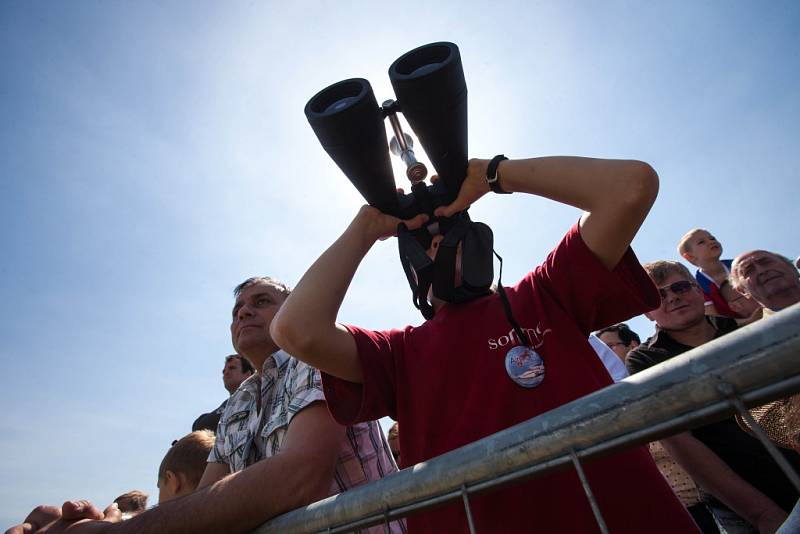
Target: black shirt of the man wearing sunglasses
<point>742,452</point>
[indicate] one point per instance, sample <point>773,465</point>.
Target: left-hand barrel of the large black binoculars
<point>349,125</point>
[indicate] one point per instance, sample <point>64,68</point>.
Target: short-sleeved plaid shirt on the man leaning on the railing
<point>245,436</point>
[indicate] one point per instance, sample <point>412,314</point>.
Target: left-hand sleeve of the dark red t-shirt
<point>350,402</point>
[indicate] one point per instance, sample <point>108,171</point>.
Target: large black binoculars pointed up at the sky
<point>432,95</point>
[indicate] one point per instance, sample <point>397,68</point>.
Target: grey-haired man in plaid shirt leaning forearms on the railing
<point>277,447</point>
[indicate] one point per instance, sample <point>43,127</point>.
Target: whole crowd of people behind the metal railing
<point>305,391</point>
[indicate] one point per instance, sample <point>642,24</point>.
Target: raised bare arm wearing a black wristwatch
<point>615,194</point>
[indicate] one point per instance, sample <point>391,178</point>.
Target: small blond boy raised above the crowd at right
<point>702,250</point>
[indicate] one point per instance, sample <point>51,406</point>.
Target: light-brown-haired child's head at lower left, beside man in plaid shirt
<point>183,465</point>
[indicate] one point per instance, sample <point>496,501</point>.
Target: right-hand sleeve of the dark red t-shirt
<point>592,295</point>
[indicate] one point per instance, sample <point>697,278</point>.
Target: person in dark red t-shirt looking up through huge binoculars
<point>448,381</point>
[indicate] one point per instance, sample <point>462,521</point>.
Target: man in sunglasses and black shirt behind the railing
<point>745,489</point>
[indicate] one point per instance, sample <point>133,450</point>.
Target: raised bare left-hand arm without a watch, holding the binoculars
<point>305,326</point>
